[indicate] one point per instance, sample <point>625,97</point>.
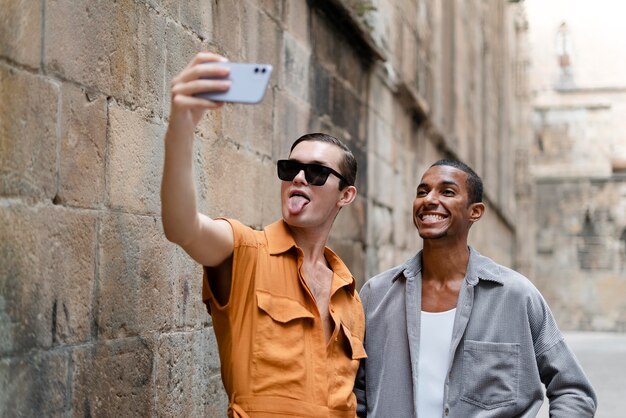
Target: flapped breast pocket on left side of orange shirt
<point>279,342</point>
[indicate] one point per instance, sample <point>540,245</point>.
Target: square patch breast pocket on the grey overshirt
<point>490,373</point>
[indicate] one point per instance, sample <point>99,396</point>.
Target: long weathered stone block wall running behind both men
<point>99,314</point>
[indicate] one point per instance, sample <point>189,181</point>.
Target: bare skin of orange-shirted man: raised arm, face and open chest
<point>196,232</point>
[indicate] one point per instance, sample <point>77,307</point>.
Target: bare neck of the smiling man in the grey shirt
<point>442,262</point>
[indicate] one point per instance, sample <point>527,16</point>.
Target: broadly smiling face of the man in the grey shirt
<point>441,210</point>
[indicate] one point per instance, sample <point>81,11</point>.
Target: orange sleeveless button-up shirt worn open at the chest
<point>275,359</point>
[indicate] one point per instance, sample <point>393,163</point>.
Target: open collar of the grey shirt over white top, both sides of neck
<point>479,268</point>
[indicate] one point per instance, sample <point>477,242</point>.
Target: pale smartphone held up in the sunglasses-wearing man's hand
<point>249,83</point>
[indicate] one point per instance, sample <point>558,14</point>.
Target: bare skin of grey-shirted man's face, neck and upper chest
<point>443,216</point>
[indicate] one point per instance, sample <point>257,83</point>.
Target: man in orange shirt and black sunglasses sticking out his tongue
<point>288,321</point>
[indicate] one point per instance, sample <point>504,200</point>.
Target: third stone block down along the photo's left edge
<point>47,268</point>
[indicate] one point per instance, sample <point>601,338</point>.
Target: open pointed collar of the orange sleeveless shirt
<point>280,240</point>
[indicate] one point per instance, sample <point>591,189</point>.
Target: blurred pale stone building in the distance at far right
<point>579,160</point>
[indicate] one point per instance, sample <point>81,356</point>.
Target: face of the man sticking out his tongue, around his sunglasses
<point>306,205</point>
